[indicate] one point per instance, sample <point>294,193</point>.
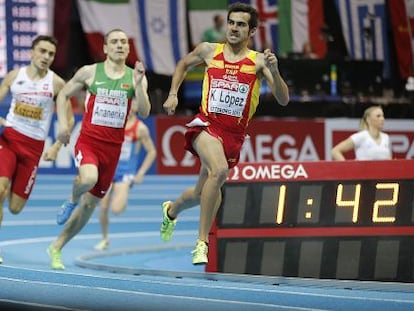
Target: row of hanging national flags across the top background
<point>159,29</point>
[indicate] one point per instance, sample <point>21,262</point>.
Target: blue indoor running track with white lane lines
<point>140,272</point>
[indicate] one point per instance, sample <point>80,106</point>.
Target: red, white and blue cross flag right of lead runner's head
<point>267,31</point>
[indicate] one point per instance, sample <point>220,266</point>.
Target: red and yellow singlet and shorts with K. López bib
<point>230,96</point>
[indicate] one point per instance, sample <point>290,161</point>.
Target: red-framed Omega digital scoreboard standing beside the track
<point>340,220</point>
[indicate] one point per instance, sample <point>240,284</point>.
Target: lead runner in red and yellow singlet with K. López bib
<point>230,96</point>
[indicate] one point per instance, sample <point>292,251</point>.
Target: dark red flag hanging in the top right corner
<point>402,21</point>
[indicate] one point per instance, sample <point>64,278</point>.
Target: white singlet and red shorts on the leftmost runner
<point>27,126</point>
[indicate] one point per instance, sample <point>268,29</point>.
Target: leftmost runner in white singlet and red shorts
<point>26,126</point>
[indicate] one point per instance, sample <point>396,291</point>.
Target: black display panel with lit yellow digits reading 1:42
<point>361,202</point>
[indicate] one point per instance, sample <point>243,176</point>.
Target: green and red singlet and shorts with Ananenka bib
<point>107,105</point>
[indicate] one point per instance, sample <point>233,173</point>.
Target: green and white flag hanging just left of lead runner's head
<point>201,14</point>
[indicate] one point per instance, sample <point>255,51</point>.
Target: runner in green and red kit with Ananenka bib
<point>111,86</point>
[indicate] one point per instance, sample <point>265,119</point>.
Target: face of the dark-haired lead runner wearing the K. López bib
<point>238,28</point>
